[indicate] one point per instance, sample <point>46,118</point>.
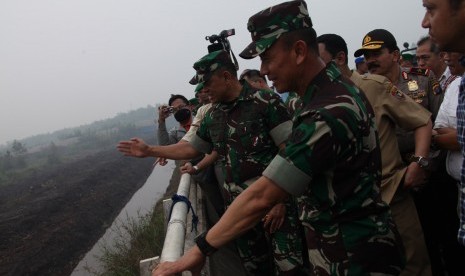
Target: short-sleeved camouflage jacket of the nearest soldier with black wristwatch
<point>332,163</point>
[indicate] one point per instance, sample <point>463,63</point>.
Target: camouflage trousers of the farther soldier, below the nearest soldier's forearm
<point>264,253</point>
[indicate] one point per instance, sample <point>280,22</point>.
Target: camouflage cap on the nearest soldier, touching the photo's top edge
<point>268,25</point>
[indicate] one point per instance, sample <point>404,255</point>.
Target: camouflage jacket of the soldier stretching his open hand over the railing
<point>245,133</point>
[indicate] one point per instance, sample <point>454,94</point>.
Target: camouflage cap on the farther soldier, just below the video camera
<point>208,64</point>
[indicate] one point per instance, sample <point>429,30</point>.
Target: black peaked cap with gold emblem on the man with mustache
<point>377,39</point>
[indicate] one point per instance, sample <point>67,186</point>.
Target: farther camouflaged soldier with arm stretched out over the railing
<point>245,127</point>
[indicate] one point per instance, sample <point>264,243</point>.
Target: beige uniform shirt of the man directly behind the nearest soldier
<point>392,108</point>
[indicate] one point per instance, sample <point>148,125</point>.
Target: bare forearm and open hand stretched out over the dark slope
<point>138,148</point>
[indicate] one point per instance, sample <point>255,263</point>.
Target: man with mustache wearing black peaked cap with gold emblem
<point>382,54</point>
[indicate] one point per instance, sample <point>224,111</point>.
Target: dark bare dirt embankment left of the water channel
<point>51,219</point>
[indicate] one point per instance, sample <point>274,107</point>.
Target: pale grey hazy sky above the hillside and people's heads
<point>65,63</point>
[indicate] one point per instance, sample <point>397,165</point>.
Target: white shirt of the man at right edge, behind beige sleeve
<point>447,117</point>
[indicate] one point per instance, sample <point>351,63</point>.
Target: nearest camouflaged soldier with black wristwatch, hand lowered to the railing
<point>331,162</point>
